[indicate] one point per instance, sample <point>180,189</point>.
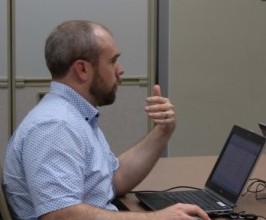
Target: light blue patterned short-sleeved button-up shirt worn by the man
<point>58,157</point>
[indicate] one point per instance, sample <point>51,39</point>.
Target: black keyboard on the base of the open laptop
<point>195,197</point>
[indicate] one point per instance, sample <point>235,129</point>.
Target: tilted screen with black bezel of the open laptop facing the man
<point>235,164</point>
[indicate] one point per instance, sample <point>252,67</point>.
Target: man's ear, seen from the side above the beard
<point>83,69</point>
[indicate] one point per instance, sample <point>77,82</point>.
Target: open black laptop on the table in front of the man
<point>225,182</point>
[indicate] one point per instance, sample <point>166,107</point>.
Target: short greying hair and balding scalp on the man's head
<point>70,41</point>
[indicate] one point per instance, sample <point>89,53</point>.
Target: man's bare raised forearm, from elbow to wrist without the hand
<point>137,162</point>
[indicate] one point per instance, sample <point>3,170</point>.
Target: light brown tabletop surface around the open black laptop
<point>193,171</point>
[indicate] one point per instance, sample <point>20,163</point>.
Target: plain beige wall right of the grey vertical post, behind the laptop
<point>217,72</point>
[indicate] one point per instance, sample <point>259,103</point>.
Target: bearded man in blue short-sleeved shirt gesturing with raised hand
<point>58,163</point>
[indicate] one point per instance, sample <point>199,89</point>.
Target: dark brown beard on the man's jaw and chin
<point>101,95</point>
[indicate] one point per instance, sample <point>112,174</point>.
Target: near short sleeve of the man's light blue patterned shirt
<point>53,157</point>
